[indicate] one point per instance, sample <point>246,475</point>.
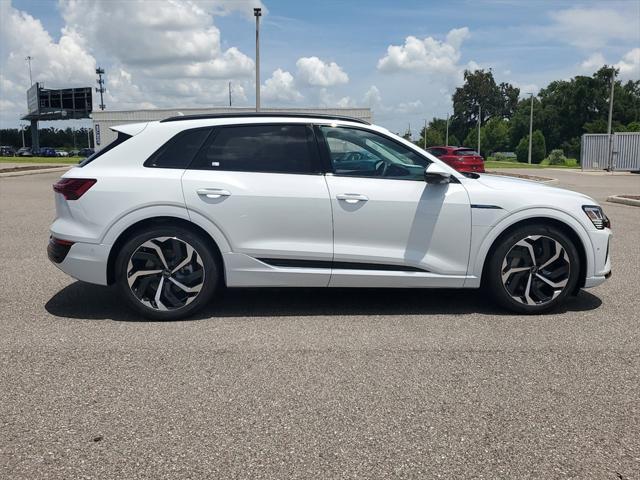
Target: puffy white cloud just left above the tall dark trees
<point>428,54</point>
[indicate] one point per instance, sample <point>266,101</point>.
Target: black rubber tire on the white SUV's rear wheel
<point>204,276</point>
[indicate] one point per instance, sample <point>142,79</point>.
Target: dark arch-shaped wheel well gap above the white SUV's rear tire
<point>146,223</point>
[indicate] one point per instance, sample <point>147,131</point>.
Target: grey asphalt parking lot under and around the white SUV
<point>315,383</point>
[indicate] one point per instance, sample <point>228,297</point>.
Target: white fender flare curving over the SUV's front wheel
<point>534,213</point>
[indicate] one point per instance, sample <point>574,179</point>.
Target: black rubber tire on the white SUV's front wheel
<point>529,280</point>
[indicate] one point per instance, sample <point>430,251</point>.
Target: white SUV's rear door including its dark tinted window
<point>262,186</point>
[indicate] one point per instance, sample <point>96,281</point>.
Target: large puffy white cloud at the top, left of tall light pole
<point>162,35</point>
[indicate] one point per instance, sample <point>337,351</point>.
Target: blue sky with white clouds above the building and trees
<point>404,59</point>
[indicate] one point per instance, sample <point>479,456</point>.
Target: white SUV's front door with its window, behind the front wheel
<point>391,228</point>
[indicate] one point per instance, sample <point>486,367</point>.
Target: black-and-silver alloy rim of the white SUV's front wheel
<point>535,270</point>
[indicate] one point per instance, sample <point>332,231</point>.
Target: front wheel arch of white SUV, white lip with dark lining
<point>567,225</point>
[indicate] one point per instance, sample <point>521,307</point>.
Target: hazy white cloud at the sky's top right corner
<point>593,27</point>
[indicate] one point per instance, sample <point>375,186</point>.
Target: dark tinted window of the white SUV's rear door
<point>260,148</point>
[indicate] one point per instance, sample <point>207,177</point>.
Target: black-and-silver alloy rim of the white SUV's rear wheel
<point>165,273</point>
